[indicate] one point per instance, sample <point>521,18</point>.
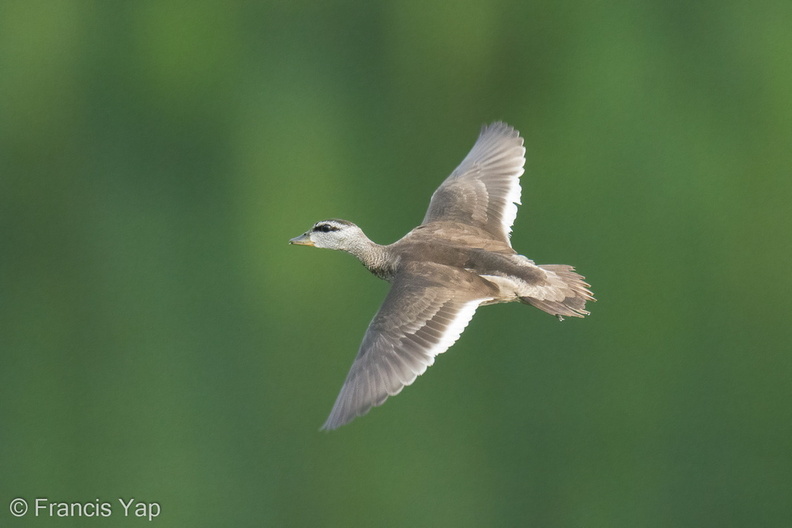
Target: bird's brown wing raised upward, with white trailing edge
<point>485,189</point>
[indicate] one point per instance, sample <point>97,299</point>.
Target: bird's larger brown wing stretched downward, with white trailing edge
<point>425,312</point>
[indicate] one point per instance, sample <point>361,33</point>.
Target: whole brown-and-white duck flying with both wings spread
<point>458,259</point>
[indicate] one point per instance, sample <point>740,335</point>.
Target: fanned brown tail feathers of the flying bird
<point>567,293</point>
